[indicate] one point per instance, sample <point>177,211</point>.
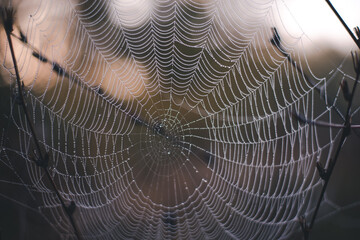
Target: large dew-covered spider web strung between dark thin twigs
<point>167,119</point>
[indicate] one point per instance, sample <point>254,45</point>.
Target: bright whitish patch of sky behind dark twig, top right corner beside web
<point>318,21</point>
